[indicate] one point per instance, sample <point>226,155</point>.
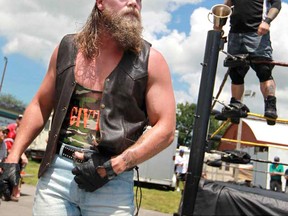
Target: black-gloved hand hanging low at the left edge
<point>10,173</point>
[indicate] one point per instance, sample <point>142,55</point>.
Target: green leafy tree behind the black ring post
<point>185,123</point>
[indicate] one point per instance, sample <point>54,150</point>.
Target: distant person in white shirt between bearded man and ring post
<point>180,168</point>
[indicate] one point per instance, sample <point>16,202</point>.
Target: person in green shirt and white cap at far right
<point>276,172</point>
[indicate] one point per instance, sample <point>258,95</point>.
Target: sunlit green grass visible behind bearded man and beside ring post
<point>156,199</point>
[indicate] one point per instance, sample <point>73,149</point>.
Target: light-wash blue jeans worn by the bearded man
<point>57,194</point>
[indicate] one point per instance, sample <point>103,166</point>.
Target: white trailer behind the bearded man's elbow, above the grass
<point>159,170</point>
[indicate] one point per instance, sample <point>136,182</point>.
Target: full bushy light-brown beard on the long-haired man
<point>125,28</point>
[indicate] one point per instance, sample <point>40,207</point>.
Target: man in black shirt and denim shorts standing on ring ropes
<point>250,34</point>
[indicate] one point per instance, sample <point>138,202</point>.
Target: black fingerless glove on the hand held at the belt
<point>86,175</point>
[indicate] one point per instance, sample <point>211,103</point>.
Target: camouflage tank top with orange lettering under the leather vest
<point>81,125</point>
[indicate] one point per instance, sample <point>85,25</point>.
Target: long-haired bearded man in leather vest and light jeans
<point>104,85</point>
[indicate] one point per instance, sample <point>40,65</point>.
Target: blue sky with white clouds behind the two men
<point>29,31</point>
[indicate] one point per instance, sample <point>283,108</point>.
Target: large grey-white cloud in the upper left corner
<point>34,27</point>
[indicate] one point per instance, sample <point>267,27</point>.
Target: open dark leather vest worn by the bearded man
<point>123,113</point>
